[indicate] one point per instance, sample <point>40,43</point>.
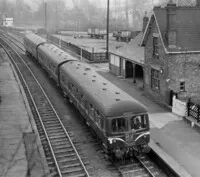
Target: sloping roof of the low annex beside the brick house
<point>132,51</point>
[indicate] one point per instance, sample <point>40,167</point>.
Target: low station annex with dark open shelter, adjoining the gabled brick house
<point>128,61</point>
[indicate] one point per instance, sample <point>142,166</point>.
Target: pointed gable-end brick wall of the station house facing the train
<point>156,63</point>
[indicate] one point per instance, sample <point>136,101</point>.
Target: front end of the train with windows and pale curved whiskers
<point>129,133</point>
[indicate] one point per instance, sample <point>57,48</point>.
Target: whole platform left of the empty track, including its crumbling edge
<point>15,125</point>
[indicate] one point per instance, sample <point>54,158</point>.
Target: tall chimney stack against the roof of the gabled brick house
<point>171,24</point>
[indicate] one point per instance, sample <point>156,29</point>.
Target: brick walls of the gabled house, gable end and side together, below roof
<point>176,68</point>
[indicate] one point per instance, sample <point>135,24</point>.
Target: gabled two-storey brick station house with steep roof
<point>171,44</point>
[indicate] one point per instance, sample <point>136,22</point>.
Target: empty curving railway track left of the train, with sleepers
<point>62,156</point>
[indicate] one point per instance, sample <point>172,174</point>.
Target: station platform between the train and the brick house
<point>171,137</point>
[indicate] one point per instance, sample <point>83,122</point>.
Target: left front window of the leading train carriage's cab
<point>119,125</point>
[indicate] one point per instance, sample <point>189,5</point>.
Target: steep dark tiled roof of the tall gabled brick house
<point>187,28</point>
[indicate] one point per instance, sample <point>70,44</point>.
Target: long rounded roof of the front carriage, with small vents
<point>105,96</point>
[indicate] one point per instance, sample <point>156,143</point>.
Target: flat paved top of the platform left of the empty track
<point>14,122</point>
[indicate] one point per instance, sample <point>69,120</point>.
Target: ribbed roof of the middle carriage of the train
<point>54,53</point>
